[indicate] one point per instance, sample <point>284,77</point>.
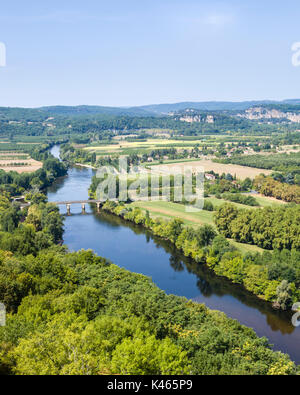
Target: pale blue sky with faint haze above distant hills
<point>134,52</point>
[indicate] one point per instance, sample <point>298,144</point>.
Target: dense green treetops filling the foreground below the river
<point>92,317</point>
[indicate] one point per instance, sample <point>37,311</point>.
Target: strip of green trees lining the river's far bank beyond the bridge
<point>213,250</point>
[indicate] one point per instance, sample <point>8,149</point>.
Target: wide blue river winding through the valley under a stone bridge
<point>133,248</point>
